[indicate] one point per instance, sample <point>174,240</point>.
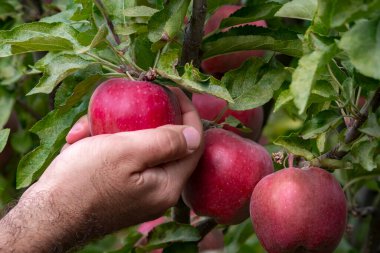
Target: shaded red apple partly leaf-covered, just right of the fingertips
<point>209,108</point>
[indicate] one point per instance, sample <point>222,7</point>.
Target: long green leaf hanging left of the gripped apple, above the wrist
<point>51,130</point>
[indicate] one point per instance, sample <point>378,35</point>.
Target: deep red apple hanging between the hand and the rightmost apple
<point>222,183</point>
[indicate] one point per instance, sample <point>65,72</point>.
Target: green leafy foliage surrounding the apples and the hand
<point>320,74</point>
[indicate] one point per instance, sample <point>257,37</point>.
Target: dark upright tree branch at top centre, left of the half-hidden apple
<point>194,34</point>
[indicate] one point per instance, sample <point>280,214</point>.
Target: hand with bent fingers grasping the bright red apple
<point>107,182</point>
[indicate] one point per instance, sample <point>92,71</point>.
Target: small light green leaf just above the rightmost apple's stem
<point>295,145</point>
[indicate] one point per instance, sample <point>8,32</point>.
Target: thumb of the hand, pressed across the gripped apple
<point>152,147</point>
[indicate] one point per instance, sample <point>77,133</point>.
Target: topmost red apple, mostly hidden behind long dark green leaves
<point>223,63</point>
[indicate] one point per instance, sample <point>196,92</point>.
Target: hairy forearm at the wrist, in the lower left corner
<point>40,223</point>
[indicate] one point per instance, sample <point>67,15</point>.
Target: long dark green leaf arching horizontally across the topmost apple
<point>252,38</point>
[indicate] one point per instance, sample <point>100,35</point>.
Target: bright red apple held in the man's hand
<point>119,105</point>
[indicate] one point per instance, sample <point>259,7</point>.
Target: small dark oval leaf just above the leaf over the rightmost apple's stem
<point>320,123</point>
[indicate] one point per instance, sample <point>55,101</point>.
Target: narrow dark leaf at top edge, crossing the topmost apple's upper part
<point>251,13</point>
